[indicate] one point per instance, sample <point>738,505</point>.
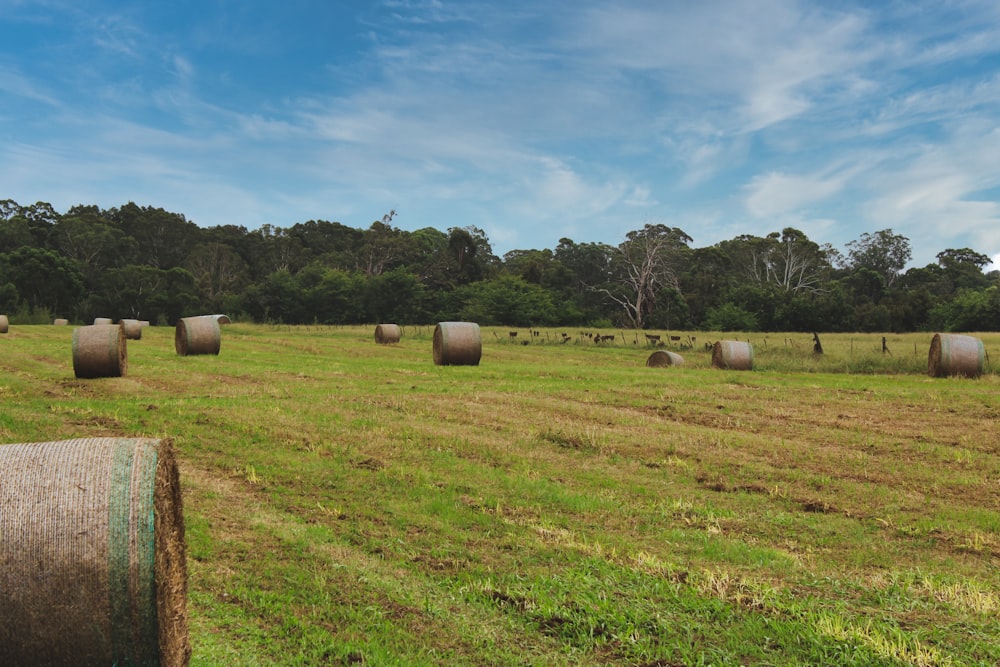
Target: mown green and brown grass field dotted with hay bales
<point>560,504</point>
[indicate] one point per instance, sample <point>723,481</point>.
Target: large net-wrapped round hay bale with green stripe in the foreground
<point>92,556</point>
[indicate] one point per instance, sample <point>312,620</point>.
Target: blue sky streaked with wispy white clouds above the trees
<point>531,120</point>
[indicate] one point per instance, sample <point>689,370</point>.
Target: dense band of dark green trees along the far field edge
<point>151,264</point>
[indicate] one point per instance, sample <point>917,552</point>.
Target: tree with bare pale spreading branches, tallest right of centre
<point>646,262</point>
